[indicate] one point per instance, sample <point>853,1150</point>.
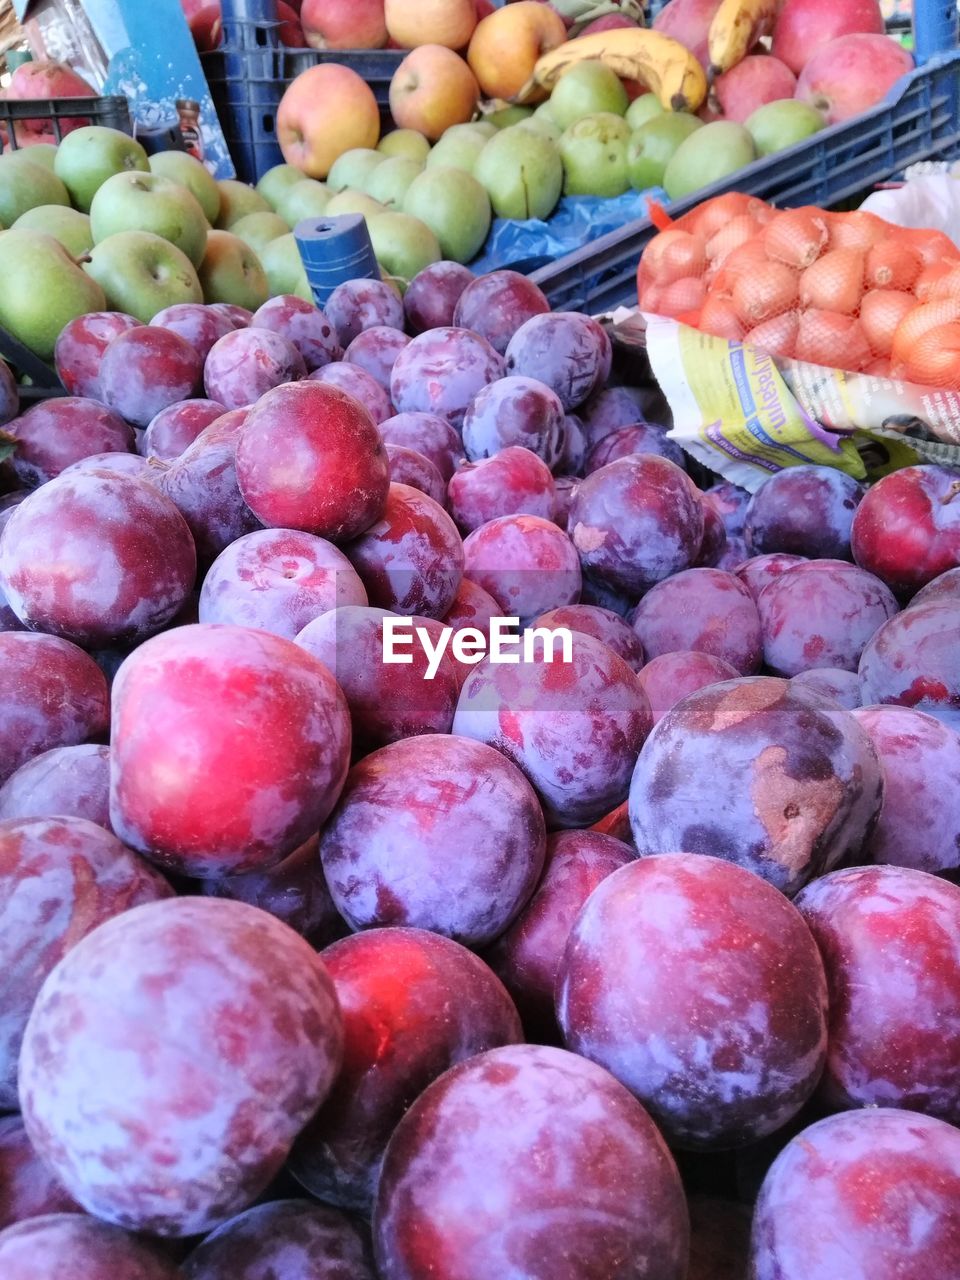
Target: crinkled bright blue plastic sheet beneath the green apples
<point>577,221</point>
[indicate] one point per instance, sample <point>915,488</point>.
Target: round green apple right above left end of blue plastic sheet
<point>523,173</point>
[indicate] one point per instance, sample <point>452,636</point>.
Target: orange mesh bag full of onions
<point>848,291</point>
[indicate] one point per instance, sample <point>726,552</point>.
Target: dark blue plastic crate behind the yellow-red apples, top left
<point>250,72</point>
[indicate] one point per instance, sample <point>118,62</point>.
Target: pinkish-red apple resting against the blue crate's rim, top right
<point>852,75</point>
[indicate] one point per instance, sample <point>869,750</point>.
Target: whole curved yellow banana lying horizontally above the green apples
<point>664,65</point>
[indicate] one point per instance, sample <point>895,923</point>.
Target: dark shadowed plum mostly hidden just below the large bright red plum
<point>295,892</point>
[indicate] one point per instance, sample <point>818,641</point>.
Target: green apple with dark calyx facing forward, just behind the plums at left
<point>141,275</point>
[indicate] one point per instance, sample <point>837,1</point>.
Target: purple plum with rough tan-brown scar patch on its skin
<point>802,781</point>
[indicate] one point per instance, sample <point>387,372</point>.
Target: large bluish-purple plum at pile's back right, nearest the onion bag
<point>566,350</point>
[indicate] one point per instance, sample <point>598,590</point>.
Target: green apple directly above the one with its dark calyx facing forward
<point>150,203</point>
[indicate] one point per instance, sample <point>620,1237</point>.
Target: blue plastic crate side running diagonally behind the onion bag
<point>918,121</point>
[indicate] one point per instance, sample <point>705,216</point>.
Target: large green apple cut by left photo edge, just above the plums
<point>43,290</point>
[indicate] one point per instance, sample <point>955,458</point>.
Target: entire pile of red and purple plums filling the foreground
<point>441,840</point>
